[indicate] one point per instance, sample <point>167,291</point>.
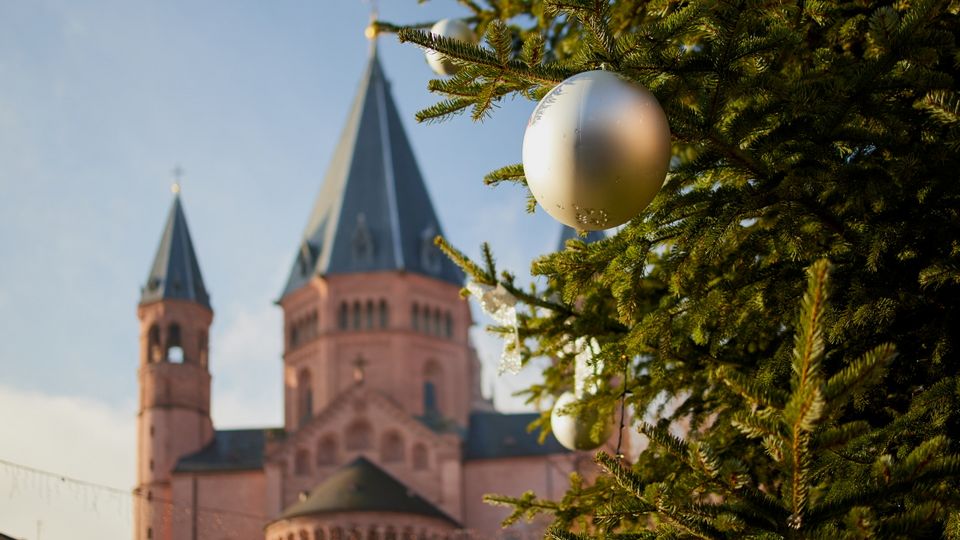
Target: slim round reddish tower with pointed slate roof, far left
<point>174,413</point>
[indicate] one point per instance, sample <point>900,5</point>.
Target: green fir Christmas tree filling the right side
<point>791,297</point>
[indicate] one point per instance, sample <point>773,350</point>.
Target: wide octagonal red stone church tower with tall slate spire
<point>369,295</point>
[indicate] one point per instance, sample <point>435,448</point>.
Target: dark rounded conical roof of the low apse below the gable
<point>363,487</point>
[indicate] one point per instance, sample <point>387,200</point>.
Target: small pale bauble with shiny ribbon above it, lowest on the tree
<point>575,431</point>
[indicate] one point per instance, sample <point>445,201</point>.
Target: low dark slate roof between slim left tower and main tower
<point>230,450</point>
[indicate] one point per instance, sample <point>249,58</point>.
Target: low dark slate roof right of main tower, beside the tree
<point>496,435</point>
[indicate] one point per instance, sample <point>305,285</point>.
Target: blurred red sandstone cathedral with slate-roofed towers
<point>386,435</point>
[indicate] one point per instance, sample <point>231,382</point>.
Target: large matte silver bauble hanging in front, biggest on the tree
<point>596,150</point>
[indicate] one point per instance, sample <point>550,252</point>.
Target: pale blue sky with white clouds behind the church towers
<point>99,100</point>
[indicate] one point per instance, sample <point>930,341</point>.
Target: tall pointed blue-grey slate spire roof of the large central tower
<point>373,211</point>
